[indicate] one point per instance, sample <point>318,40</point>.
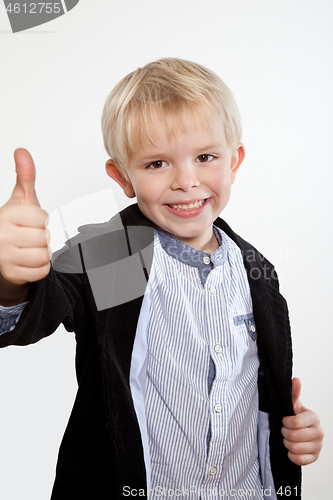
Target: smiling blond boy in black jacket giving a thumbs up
<point>183,340</point>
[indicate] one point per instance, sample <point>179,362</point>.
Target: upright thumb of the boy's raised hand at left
<point>24,190</point>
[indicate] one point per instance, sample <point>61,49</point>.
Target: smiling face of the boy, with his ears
<point>182,184</point>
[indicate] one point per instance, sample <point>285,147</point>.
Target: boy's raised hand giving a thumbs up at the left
<point>24,252</point>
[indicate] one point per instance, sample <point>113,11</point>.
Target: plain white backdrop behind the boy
<point>276,56</point>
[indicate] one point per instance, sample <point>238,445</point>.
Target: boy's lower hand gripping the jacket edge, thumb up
<point>303,434</point>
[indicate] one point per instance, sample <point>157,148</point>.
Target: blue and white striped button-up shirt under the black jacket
<point>201,328</point>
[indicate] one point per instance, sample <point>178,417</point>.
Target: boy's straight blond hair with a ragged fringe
<point>168,88</point>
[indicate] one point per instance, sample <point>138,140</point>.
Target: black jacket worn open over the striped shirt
<point>101,450</point>
